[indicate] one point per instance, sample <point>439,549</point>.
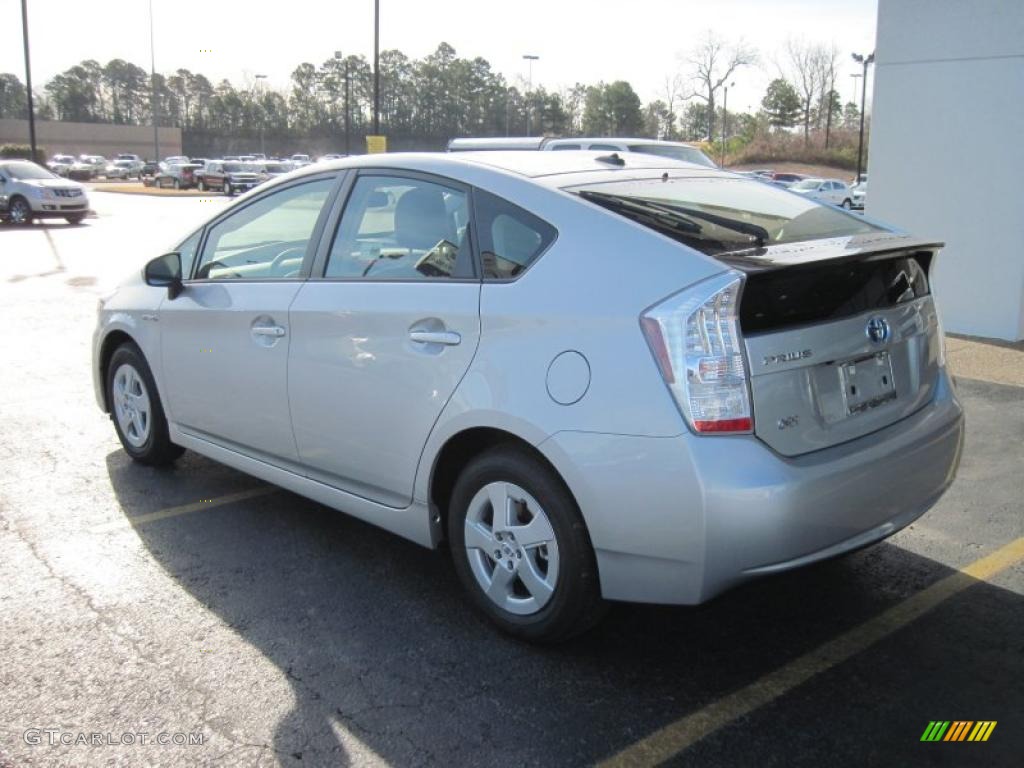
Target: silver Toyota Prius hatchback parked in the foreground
<point>596,377</point>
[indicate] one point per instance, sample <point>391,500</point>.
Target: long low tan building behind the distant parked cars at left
<point>92,139</point>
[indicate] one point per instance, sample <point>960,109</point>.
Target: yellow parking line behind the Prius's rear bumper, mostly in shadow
<point>687,732</point>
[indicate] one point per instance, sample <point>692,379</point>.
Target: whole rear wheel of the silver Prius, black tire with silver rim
<point>521,548</point>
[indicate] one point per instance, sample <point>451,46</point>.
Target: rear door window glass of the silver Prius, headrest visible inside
<point>402,229</point>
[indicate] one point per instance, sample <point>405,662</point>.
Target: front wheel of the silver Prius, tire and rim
<point>137,410</point>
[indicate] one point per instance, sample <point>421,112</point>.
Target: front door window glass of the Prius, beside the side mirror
<point>267,239</point>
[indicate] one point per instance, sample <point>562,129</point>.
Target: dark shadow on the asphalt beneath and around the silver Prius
<point>374,636</point>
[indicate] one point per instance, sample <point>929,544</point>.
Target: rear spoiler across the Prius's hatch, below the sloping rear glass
<point>797,255</point>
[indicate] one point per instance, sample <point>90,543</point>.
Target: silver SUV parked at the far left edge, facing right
<point>34,192</point>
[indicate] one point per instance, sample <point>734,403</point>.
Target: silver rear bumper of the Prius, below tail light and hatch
<point>681,520</point>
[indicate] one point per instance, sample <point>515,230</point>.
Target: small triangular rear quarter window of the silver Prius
<point>511,239</point>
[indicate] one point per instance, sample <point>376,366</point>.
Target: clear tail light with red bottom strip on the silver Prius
<point>695,337</point>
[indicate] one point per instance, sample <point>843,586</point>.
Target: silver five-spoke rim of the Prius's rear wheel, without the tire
<point>511,548</point>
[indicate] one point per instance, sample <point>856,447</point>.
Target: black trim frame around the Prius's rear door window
<point>319,269</point>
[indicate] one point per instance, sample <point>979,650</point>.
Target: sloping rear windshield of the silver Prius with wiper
<point>717,216</point>
